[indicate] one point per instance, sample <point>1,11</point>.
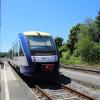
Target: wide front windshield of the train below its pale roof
<point>43,41</point>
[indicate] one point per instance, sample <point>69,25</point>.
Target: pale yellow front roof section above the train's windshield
<point>36,33</point>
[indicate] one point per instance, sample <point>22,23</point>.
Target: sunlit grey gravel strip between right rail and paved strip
<point>86,89</point>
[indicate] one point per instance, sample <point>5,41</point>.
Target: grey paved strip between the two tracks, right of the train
<point>85,77</point>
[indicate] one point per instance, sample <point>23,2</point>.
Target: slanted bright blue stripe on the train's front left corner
<point>25,48</point>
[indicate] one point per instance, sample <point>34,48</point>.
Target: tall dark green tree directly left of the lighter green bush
<point>73,37</point>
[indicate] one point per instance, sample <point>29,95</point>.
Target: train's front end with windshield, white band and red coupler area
<point>44,55</point>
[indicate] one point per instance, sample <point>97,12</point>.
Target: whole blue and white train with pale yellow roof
<point>35,54</point>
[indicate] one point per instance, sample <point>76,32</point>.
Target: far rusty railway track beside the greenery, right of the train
<point>81,69</point>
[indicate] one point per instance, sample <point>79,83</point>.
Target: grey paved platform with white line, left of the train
<point>13,88</point>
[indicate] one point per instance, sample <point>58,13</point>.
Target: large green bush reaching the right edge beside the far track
<point>88,50</point>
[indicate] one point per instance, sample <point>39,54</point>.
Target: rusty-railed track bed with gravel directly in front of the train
<point>56,91</point>
